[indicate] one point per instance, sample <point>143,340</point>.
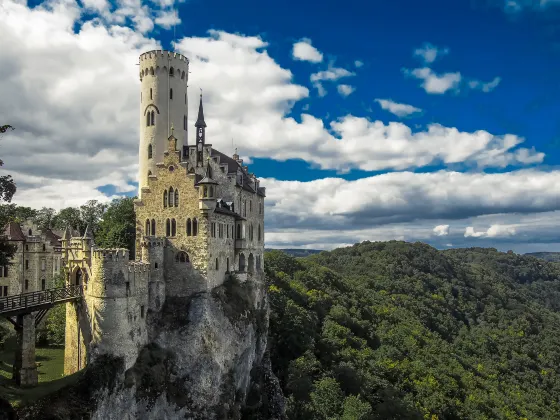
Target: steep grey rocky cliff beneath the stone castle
<point>206,359</point>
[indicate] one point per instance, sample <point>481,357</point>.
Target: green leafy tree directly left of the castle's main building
<point>118,227</point>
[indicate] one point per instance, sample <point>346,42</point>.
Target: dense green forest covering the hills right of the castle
<point>396,330</point>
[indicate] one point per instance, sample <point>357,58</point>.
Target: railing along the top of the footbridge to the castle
<point>41,297</point>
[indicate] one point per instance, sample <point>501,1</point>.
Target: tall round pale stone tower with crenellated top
<point>163,103</point>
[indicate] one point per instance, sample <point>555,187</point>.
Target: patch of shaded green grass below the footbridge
<point>50,370</point>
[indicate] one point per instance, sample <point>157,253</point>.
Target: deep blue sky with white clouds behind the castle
<point>432,121</point>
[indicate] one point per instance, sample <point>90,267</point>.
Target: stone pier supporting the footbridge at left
<point>25,368</point>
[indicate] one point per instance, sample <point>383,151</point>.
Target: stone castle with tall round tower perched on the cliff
<point>199,218</point>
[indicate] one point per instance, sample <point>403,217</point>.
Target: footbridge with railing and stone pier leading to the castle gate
<point>25,311</point>
